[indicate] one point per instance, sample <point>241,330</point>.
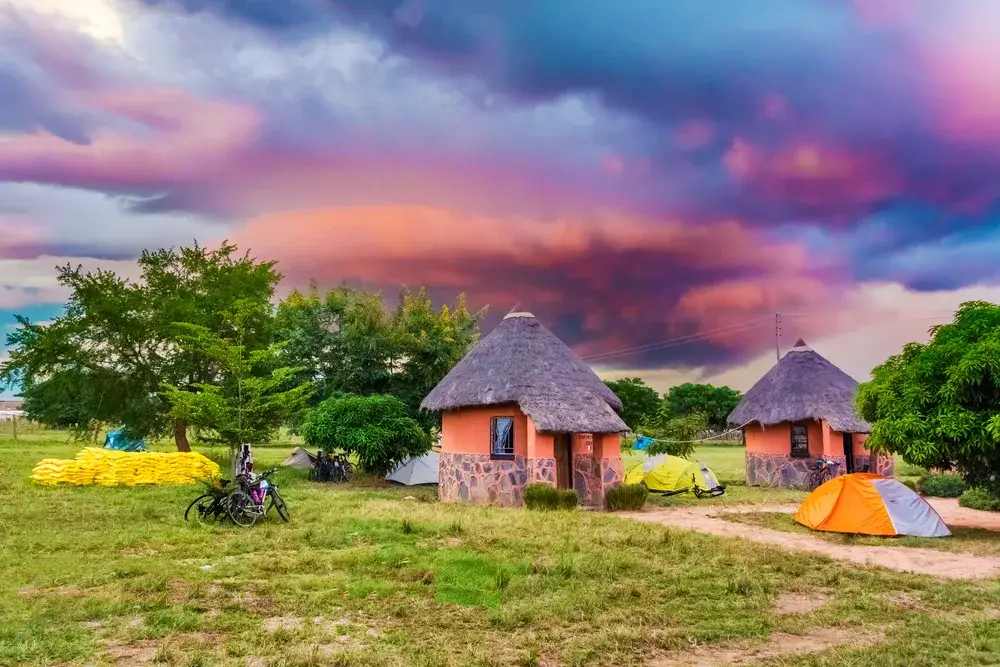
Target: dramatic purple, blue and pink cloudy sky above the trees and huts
<point>654,179</point>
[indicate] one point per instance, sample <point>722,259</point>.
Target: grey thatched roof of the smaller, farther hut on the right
<point>802,386</point>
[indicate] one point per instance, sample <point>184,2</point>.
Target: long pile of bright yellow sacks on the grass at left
<point>106,467</point>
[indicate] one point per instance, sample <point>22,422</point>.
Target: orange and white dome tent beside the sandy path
<point>868,504</point>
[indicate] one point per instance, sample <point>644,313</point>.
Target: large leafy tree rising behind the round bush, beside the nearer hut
<point>349,342</point>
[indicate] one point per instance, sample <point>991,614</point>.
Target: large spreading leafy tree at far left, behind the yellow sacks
<point>108,357</point>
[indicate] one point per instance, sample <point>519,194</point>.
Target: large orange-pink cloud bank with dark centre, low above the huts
<point>620,278</point>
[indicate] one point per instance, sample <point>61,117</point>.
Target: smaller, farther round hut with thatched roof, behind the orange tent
<point>801,410</point>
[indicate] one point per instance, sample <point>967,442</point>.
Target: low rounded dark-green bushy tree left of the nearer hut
<point>377,429</point>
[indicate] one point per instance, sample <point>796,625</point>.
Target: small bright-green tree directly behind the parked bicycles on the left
<point>250,393</point>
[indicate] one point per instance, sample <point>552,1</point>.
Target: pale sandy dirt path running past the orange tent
<point>923,561</point>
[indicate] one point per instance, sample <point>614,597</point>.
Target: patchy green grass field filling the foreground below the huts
<point>373,575</point>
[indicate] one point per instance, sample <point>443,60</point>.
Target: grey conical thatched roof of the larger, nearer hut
<point>522,362</point>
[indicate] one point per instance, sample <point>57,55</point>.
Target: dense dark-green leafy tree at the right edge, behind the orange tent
<point>938,404</point>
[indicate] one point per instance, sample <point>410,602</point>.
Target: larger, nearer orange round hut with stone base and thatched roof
<point>521,408</point>
